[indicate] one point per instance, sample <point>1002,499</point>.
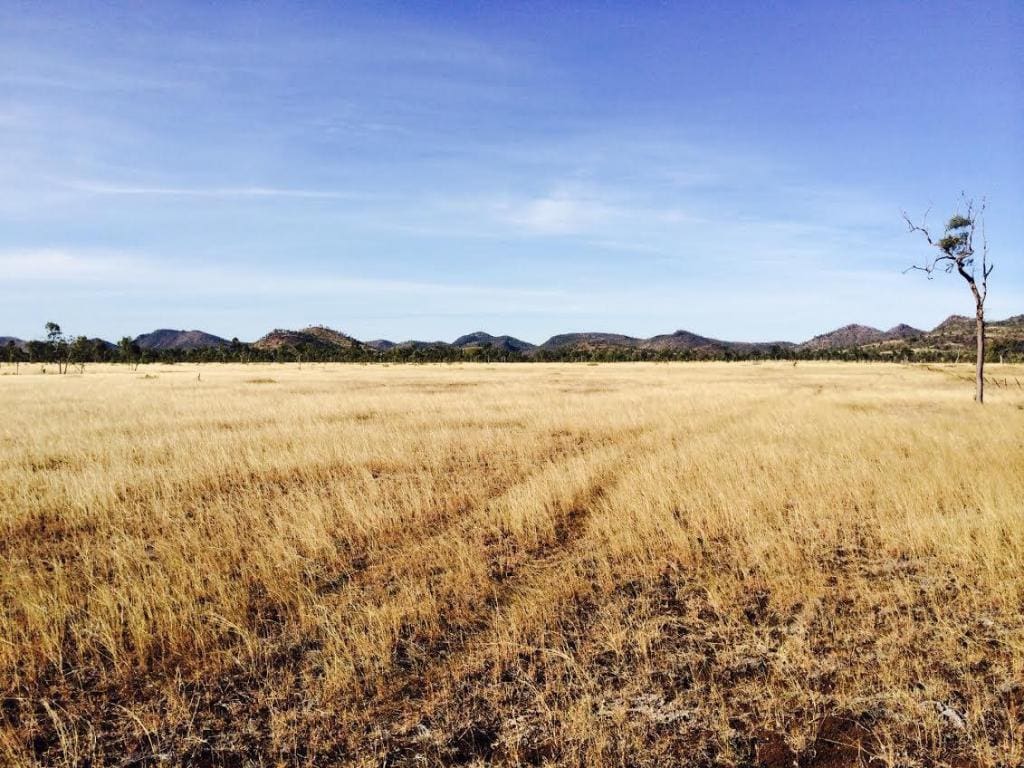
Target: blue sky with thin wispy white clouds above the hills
<point>423,170</point>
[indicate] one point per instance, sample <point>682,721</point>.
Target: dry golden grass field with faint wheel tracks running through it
<point>586,566</point>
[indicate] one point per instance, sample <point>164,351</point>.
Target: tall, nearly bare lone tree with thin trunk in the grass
<point>956,250</point>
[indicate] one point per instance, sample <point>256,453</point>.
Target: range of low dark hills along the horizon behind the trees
<point>956,331</point>
